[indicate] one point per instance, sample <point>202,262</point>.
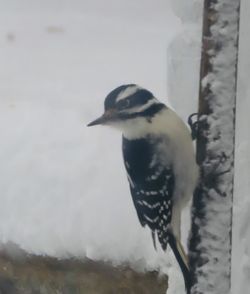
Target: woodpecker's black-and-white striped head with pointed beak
<point>128,107</point>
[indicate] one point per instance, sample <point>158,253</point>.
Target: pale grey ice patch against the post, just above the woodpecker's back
<point>184,69</point>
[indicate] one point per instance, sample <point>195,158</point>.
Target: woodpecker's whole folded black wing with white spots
<point>151,187</point>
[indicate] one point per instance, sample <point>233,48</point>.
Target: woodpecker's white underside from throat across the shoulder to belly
<point>178,149</point>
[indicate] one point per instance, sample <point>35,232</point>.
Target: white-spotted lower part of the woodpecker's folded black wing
<point>153,202</point>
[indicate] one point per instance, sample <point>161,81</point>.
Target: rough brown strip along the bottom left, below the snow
<point>21,273</point>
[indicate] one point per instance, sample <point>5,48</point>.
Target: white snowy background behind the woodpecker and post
<point>63,188</point>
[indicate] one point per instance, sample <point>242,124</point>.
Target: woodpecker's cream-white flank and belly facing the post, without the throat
<point>179,150</point>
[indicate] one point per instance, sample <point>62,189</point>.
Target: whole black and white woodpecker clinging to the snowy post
<point>159,159</point>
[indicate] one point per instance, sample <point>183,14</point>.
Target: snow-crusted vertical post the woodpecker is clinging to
<point>210,238</point>
